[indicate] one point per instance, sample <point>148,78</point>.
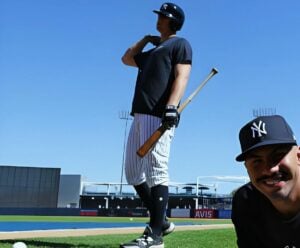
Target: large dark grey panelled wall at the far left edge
<point>27,187</point>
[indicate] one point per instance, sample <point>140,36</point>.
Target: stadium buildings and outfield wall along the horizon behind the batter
<point>44,191</point>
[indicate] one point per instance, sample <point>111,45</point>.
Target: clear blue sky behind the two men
<point>62,83</point>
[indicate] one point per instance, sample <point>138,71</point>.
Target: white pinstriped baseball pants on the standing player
<point>153,167</point>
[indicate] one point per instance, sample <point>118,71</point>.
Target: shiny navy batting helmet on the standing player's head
<point>174,12</point>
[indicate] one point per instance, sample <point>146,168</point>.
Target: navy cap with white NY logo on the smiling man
<point>262,131</point>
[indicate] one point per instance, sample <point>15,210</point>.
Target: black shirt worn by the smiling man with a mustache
<point>258,224</point>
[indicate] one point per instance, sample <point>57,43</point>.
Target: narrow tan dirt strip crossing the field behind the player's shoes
<point>97,231</point>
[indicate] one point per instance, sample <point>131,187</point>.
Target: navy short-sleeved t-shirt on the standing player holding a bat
<point>156,75</point>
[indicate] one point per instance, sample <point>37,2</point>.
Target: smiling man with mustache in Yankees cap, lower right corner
<point>266,211</point>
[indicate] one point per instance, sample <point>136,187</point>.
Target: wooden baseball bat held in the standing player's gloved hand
<point>143,150</point>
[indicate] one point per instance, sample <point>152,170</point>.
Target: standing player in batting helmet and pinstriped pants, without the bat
<point>163,73</point>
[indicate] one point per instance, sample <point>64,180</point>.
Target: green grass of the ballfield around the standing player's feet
<point>223,238</point>
